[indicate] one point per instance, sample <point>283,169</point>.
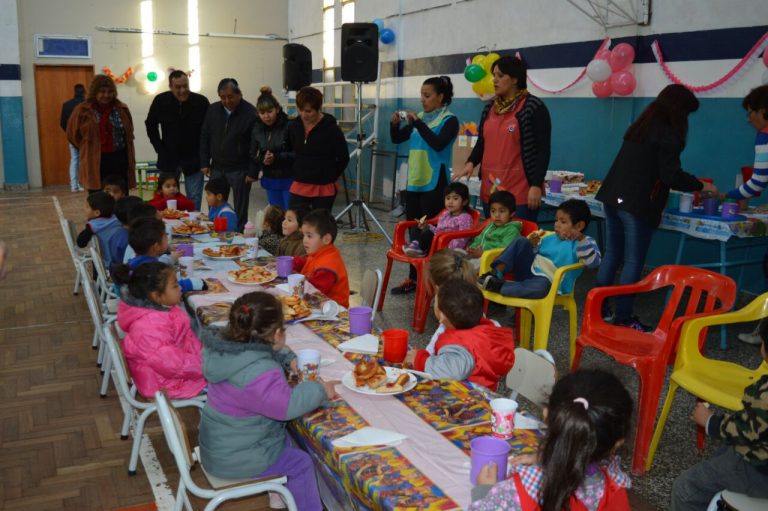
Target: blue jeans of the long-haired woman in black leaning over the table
<point>627,242</point>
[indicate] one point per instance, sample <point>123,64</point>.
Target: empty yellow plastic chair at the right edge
<point>715,381</point>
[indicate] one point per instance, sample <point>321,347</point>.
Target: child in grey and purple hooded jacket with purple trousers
<point>242,428</point>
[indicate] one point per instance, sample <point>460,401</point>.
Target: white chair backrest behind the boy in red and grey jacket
<point>532,376</point>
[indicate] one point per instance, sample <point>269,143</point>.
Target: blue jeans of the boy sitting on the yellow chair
<point>517,258</point>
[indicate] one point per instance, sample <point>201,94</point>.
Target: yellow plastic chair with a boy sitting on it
<point>540,310</point>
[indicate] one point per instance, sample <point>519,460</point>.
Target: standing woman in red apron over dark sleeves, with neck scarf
<point>513,143</point>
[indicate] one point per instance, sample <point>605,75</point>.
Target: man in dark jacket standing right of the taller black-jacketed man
<point>225,139</point>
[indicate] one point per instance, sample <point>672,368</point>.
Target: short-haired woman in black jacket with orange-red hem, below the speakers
<point>319,150</point>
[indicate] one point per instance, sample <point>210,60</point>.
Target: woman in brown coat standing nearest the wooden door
<point>101,128</point>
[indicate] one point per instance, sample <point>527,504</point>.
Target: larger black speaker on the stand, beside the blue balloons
<point>359,52</point>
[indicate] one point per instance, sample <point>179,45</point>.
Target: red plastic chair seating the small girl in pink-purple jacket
<point>396,254</point>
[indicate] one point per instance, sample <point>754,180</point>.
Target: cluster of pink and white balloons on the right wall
<point>610,71</point>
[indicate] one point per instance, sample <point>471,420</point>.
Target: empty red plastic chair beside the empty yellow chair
<point>698,290</point>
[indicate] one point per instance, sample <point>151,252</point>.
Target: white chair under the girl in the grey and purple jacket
<point>186,457</point>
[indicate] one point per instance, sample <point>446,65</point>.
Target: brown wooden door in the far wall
<point>53,86</point>
